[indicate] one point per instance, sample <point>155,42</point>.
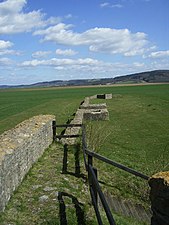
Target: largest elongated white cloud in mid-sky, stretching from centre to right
<point>105,40</point>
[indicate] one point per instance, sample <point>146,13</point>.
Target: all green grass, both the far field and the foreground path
<point>136,135</point>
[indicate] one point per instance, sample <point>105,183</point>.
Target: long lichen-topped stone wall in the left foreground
<point>19,149</point>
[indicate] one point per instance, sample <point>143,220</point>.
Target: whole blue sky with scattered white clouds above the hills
<point>45,40</point>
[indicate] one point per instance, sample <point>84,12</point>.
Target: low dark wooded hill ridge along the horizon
<point>157,76</point>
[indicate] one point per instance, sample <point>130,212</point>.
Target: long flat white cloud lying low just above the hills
<point>86,66</point>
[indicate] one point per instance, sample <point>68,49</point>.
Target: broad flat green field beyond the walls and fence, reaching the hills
<point>136,135</point>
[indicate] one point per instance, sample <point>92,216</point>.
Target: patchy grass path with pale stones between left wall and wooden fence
<point>48,196</point>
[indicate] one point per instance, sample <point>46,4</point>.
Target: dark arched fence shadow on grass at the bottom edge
<point>80,215</point>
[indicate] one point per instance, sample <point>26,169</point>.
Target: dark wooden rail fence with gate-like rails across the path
<point>94,186</point>
